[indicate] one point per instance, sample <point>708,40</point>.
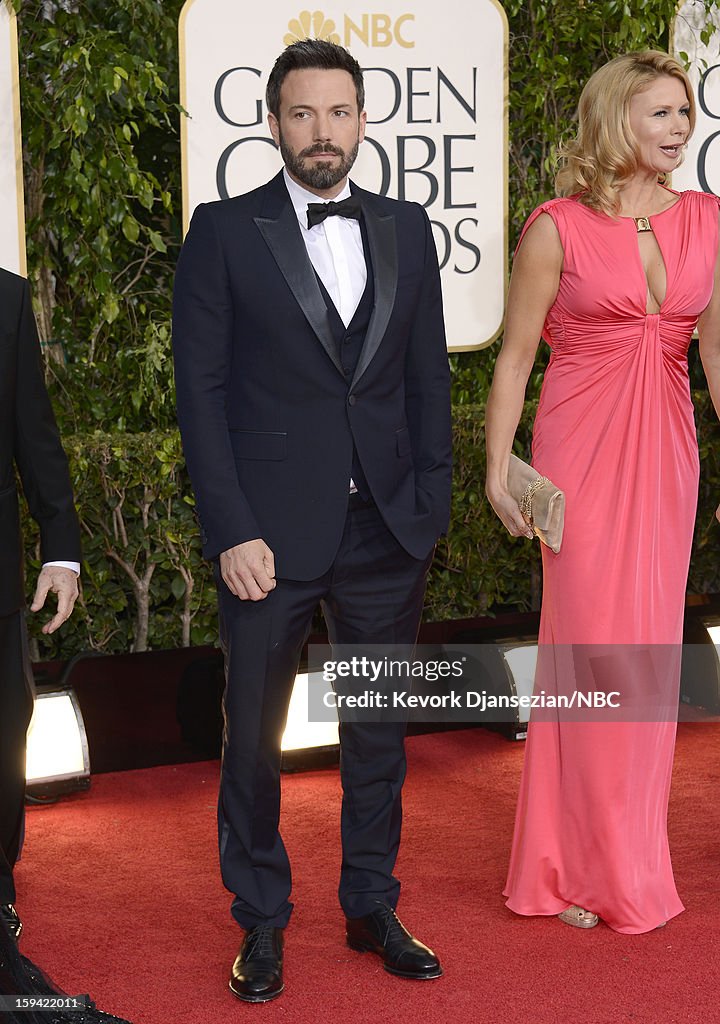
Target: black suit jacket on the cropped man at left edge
<point>29,440</point>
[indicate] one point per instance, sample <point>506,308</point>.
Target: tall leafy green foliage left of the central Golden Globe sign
<point>103,178</point>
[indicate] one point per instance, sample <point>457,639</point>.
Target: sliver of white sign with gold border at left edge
<point>12,214</point>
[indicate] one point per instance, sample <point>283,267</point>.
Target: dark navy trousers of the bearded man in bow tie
<point>373,593</point>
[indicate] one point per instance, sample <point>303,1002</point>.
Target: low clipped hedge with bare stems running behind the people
<point>145,584</point>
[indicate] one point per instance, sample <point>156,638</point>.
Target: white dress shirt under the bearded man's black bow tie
<point>335,248</point>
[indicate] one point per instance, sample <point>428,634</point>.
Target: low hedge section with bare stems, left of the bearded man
<point>145,583</point>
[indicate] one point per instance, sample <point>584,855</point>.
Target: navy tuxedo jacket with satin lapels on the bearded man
<point>268,417</point>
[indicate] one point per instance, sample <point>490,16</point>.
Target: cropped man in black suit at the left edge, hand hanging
<point>29,441</point>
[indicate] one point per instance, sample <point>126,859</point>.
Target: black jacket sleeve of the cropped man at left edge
<point>38,451</point>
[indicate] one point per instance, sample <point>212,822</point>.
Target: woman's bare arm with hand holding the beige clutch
<point>536,278</point>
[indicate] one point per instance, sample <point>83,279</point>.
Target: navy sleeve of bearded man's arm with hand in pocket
<point>428,394</point>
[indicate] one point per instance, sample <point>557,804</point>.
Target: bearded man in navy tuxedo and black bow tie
<point>314,402</point>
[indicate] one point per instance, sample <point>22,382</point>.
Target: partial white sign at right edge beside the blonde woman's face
<point>701,168</point>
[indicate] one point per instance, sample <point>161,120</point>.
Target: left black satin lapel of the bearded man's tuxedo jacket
<point>285,242</point>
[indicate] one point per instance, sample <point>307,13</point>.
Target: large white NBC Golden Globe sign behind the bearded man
<point>437,101</point>
